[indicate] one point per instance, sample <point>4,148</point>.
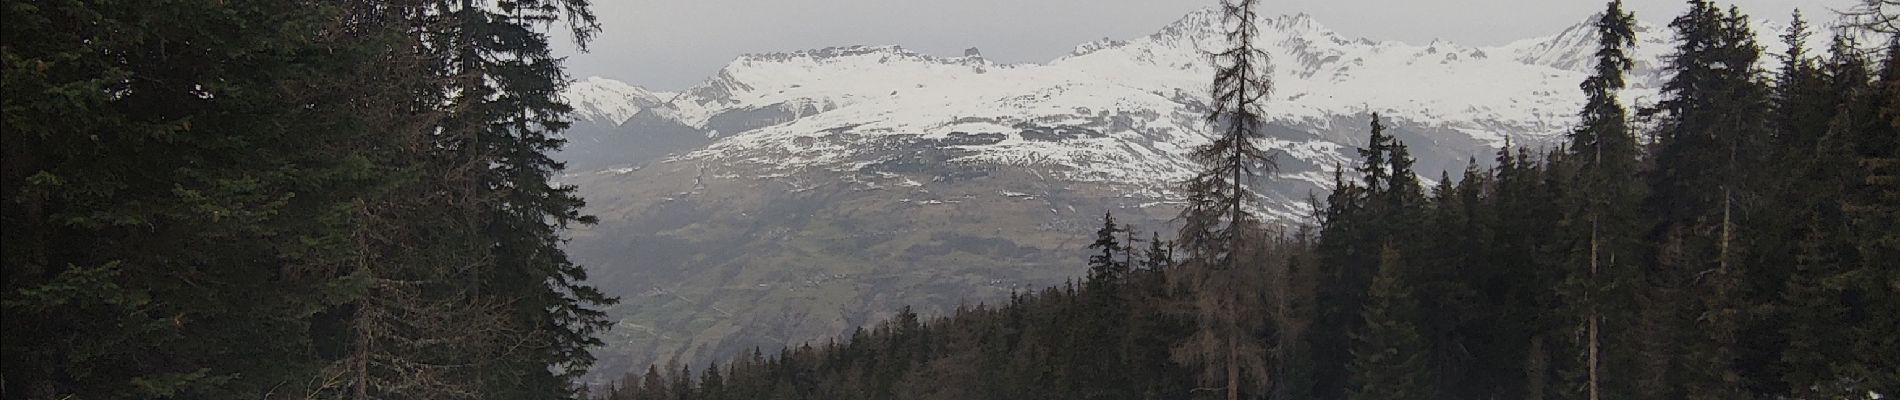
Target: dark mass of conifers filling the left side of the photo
<point>288,200</point>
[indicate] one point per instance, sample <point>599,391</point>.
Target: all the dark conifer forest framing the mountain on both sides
<point>354,200</point>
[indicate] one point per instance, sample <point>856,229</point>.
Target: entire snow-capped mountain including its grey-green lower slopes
<point>845,183</point>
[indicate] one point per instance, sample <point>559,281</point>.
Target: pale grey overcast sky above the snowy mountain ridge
<point>672,45</point>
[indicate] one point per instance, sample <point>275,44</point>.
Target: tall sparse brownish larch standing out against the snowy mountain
<point>1223,238</point>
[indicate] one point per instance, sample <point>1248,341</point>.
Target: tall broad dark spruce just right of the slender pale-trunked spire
<point>1701,192</point>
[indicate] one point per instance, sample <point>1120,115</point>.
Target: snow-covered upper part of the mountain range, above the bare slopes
<point>1126,111</point>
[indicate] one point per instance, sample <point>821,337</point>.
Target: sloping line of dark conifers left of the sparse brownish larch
<point>1109,336</point>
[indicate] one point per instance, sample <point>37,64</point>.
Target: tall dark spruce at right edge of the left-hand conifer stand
<point>503,118</point>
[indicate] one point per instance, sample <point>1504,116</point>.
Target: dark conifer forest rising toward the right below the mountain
<point>1738,240</point>
